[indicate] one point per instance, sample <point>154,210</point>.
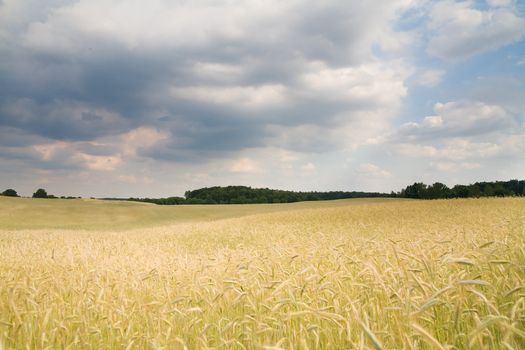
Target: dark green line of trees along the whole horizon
<point>248,195</point>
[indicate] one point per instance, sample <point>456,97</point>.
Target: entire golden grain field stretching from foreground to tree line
<point>355,274</point>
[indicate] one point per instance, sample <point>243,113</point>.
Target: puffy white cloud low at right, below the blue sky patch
<point>461,135</point>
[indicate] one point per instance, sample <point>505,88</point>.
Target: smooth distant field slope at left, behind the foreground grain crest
<point>88,214</point>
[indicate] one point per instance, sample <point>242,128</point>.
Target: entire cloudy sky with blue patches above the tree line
<point>152,98</point>
